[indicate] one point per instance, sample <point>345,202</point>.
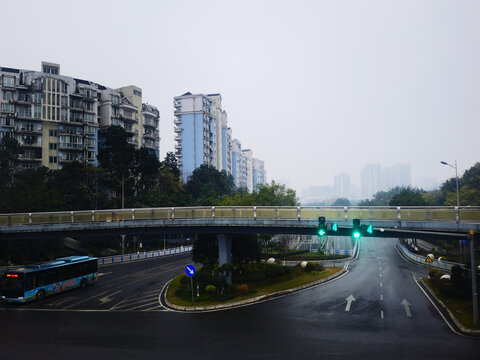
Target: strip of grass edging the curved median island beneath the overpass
<point>256,289</point>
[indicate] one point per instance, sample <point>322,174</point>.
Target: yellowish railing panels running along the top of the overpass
<point>455,214</point>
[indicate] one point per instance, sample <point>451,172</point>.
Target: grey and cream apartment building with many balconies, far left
<point>56,119</point>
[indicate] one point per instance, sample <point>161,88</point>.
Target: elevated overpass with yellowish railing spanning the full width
<point>440,222</point>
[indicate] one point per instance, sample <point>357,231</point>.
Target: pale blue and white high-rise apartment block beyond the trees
<point>202,136</point>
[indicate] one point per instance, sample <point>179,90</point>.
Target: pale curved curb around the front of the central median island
<point>248,301</point>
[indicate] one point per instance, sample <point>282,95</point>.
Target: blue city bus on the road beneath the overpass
<point>32,282</point>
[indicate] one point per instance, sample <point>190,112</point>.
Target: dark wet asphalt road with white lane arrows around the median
<point>312,324</point>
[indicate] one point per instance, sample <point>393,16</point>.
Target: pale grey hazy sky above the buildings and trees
<point>314,88</point>
